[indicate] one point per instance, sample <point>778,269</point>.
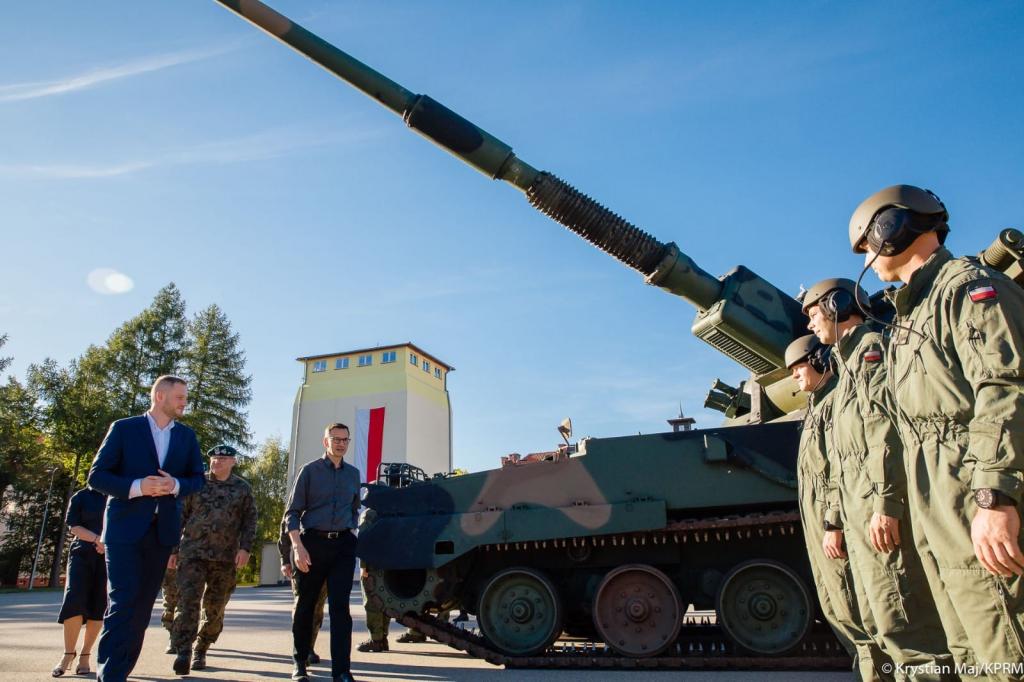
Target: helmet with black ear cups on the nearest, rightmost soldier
<point>889,221</point>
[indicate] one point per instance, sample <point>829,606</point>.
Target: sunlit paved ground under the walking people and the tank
<point>257,646</point>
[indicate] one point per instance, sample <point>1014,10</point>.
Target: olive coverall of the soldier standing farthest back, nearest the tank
<point>819,505</point>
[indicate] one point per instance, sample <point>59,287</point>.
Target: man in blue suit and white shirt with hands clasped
<point>146,465</point>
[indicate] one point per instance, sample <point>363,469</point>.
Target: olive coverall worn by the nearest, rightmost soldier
<point>958,380</point>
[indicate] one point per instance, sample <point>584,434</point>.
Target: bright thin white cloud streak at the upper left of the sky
<point>91,79</point>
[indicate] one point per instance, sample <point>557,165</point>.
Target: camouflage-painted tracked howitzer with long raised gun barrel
<point>615,542</point>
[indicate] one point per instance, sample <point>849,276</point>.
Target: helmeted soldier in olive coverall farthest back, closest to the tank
<point>820,510</point>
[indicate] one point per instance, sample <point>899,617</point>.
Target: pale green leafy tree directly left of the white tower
<point>268,475</point>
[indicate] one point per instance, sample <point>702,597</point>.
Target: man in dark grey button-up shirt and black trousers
<point>322,518</point>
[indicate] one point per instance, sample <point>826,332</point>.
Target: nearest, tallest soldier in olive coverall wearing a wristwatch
<point>957,374</point>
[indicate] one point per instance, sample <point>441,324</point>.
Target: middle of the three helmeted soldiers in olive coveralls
<point>889,578</point>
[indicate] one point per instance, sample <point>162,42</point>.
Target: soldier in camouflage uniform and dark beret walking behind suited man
<point>219,530</point>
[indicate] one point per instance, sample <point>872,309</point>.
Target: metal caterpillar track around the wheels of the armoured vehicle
<point>702,646</point>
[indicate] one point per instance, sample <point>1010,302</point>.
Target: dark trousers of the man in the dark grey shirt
<point>332,563</point>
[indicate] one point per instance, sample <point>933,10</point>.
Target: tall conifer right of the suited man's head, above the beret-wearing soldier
<point>220,390</point>
